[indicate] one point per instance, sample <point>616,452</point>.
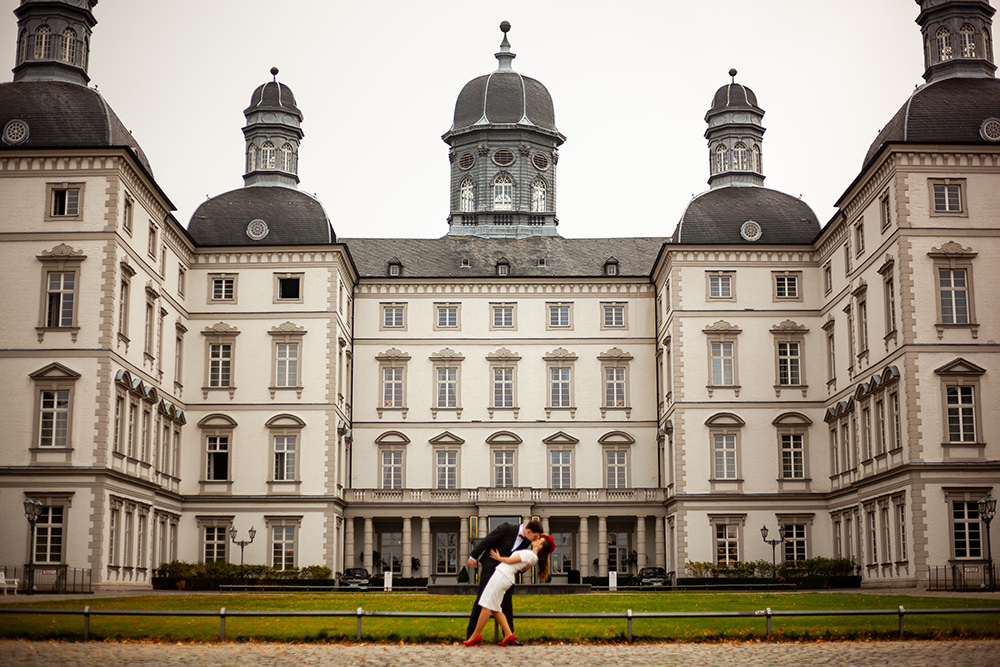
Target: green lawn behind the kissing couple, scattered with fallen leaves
<point>298,629</point>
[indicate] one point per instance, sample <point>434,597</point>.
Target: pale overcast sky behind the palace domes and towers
<point>377,80</point>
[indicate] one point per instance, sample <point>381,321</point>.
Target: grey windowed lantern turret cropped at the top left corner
<point>53,40</point>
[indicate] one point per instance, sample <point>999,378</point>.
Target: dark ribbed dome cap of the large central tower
<point>504,98</point>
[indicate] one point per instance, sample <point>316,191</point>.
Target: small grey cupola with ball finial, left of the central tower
<point>272,133</point>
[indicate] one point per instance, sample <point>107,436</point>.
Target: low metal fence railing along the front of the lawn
<point>628,616</point>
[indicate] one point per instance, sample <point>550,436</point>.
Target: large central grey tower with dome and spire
<point>504,152</point>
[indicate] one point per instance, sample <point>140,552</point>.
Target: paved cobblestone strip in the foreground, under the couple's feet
<point>838,654</point>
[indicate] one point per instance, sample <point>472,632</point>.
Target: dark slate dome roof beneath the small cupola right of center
<point>717,215</point>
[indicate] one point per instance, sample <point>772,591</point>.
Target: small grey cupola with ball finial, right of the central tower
<point>735,135</point>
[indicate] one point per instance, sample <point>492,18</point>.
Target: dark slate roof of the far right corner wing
<point>950,111</point>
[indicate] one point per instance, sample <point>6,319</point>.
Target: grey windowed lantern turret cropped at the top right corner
<point>956,36</point>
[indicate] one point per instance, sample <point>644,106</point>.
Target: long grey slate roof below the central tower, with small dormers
<point>564,258</point>
